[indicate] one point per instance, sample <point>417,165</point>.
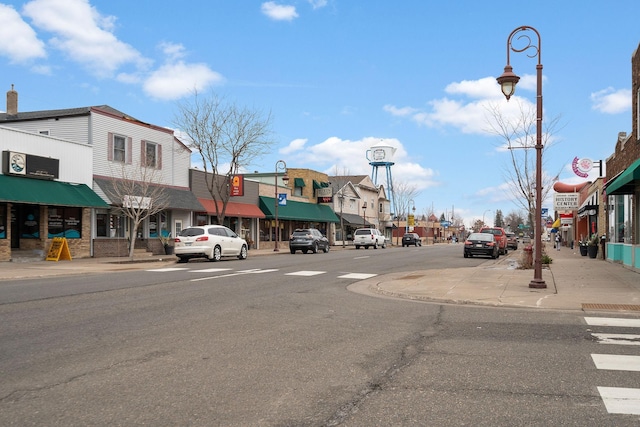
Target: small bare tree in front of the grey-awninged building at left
<point>136,196</point>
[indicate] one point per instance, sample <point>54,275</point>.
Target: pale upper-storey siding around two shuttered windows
<point>176,158</point>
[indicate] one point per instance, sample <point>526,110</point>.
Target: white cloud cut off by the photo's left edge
<point>20,43</point>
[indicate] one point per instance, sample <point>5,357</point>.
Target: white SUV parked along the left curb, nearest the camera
<point>209,241</point>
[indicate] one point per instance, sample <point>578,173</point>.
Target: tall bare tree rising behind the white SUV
<point>227,137</point>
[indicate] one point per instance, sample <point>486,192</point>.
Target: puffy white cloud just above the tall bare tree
<point>173,81</point>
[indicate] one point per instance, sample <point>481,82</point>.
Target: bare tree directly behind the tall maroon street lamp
<point>519,136</point>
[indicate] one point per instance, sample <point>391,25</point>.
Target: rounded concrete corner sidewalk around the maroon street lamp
<point>574,282</point>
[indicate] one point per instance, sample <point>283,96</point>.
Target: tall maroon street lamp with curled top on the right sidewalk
<point>508,81</point>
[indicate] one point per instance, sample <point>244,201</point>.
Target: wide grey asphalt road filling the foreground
<point>280,341</point>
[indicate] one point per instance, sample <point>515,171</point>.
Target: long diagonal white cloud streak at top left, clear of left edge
<point>83,34</point>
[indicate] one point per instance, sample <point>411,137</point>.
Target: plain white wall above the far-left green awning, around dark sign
<point>75,158</point>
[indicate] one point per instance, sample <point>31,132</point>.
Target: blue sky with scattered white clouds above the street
<point>339,76</point>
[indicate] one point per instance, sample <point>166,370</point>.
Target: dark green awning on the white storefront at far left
<point>43,192</point>
